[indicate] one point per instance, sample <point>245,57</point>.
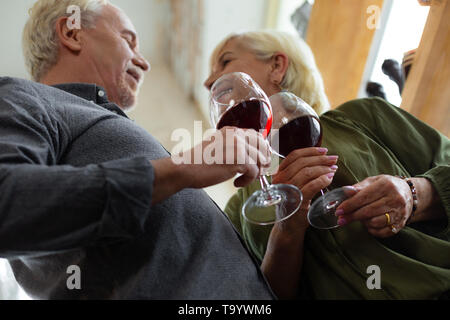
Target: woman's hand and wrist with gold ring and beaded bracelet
<point>384,194</point>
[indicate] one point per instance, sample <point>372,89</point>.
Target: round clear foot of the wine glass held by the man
<point>277,203</point>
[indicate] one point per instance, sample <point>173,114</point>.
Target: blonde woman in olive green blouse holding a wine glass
<point>394,230</point>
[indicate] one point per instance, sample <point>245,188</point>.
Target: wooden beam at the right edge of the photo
<point>427,90</point>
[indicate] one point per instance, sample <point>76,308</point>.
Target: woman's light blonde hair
<point>302,77</point>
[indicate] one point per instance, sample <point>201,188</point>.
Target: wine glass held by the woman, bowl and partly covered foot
<point>296,125</point>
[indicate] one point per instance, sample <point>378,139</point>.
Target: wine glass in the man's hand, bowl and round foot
<point>238,101</point>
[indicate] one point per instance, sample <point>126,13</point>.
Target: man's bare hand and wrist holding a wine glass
<point>230,151</point>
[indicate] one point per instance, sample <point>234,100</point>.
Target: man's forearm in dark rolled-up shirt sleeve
<point>44,209</point>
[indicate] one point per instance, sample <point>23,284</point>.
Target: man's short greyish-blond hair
<point>39,39</point>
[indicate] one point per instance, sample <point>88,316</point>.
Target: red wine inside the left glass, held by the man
<point>253,114</point>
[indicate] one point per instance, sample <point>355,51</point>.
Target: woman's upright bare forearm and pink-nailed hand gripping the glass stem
<point>311,170</point>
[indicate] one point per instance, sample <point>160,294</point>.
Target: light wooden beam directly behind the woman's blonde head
<point>340,34</point>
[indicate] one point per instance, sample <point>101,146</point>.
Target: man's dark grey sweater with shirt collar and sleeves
<point>75,190</point>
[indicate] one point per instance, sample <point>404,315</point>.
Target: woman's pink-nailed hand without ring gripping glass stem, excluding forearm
<point>309,169</point>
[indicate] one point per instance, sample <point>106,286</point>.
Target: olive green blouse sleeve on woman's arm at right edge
<point>422,150</point>
